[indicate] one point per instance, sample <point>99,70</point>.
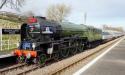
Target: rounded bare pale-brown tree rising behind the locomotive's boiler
<point>57,12</point>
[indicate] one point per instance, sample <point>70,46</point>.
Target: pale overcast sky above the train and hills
<point>99,12</point>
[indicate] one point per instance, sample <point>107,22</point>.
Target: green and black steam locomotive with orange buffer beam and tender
<point>42,40</point>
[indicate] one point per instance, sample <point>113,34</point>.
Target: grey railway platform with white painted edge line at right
<point>111,63</point>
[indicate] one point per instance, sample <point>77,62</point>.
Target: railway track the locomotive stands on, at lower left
<point>20,69</point>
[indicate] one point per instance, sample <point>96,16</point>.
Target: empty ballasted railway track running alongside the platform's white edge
<point>53,69</point>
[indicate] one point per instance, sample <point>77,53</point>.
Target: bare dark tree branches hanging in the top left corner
<point>15,4</point>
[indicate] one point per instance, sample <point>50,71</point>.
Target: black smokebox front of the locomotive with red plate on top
<point>39,29</point>
